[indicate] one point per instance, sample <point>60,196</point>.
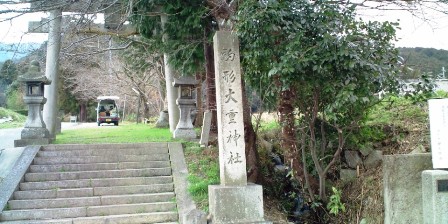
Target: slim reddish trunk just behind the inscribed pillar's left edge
<point>210,80</point>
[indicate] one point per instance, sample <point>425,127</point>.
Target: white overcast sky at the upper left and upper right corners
<point>414,31</point>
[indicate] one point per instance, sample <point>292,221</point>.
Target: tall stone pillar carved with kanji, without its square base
<point>232,159</point>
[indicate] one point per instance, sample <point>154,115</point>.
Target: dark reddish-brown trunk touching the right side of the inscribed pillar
<point>250,138</point>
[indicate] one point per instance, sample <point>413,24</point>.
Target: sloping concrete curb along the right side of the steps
<point>188,214</point>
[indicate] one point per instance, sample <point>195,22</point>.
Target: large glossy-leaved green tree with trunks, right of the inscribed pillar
<point>324,64</point>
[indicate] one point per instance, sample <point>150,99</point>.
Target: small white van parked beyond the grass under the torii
<point>107,110</point>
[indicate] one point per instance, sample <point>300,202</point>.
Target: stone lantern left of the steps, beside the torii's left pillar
<point>35,131</point>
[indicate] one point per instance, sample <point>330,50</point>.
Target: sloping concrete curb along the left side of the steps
<point>12,180</point>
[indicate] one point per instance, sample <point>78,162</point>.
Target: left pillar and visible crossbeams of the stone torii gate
<point>53,26</point>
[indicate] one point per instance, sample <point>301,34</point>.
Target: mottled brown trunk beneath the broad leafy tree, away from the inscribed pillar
<point>288,143</point>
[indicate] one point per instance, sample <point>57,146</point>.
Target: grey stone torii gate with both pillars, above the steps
<point>114,18</point>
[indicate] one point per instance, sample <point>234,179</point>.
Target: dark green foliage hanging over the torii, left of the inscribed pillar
<point>185,30</point>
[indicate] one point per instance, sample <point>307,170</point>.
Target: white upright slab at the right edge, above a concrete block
<point>438,119</point>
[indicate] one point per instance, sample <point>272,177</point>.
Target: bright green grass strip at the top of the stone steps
<point>125,133</point>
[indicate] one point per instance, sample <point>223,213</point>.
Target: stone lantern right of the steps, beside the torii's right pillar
<point>186,102</point>
